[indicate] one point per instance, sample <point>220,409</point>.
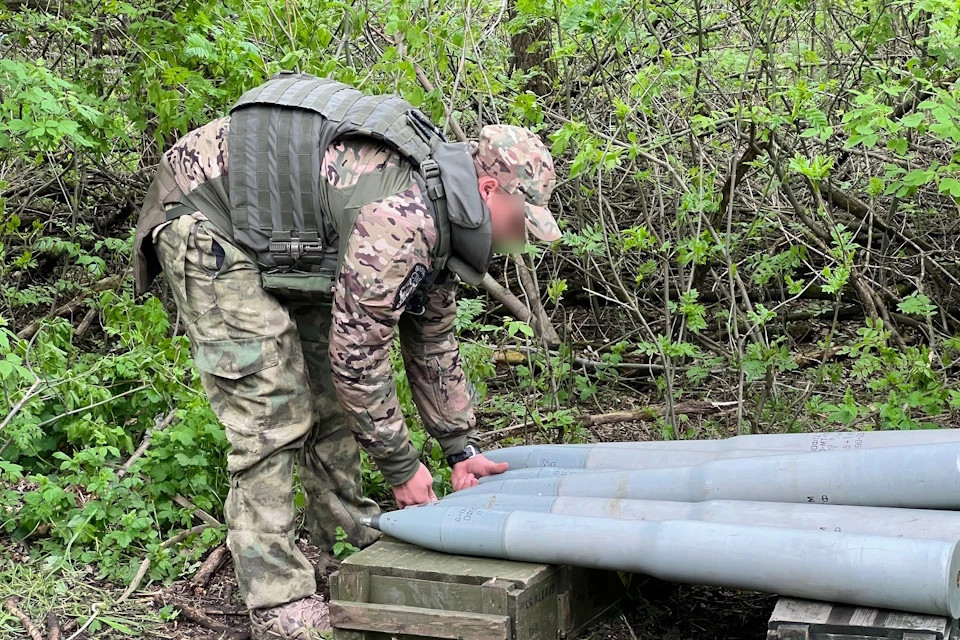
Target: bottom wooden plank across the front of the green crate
<point>416,621</point>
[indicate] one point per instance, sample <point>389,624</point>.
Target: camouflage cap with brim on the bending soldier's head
<point>521,163</point>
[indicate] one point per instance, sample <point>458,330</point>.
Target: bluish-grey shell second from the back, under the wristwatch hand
<point>919,477</point>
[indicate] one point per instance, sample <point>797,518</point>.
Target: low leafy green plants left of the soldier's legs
<point>70,438</point>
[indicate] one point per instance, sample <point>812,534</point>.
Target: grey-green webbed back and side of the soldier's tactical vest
<point>278,133</point>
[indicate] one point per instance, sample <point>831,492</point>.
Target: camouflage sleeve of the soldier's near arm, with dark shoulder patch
<point>389,245</point>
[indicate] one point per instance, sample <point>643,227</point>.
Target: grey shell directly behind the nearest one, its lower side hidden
<point>919,524</point>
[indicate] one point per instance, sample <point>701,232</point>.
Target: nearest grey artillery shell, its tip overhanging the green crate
<point>875,571</point>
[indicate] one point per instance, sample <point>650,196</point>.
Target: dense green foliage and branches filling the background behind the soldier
<point>648,110</point>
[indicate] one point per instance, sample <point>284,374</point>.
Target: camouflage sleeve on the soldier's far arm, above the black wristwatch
<point>442,391</point>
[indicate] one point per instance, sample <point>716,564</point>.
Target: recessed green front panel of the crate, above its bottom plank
<point>412,592</point>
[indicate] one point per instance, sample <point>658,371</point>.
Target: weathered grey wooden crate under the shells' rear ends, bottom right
<point>808,620</point>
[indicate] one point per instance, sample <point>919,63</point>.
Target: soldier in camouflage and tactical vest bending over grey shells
<point>297,235</point>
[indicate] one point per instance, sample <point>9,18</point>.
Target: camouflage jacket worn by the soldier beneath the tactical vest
<point>388,249</point>
